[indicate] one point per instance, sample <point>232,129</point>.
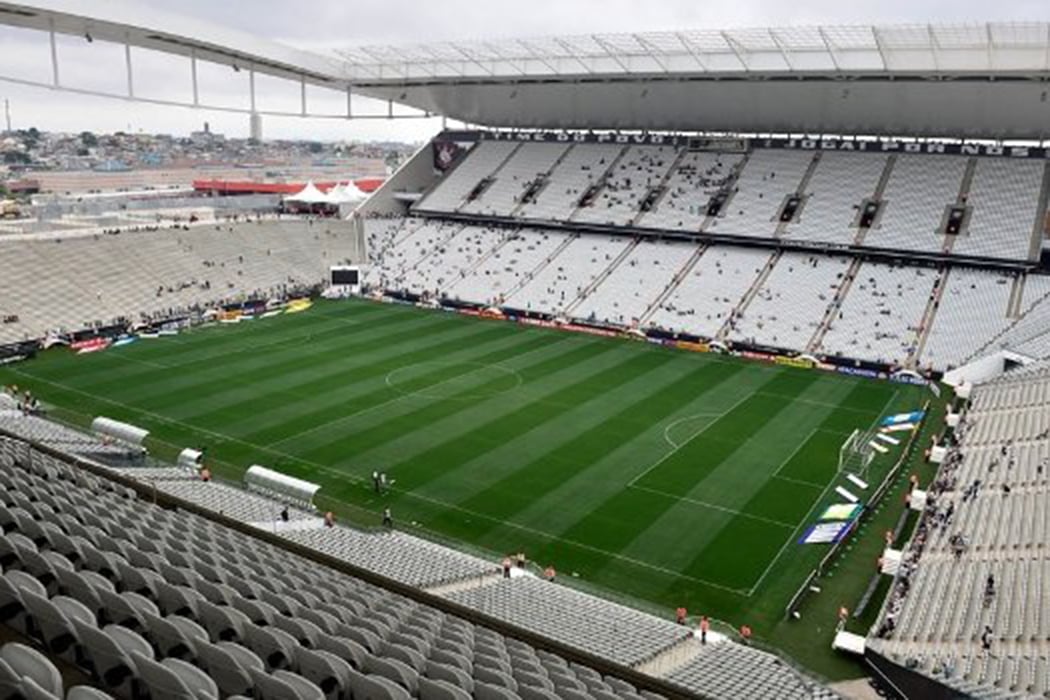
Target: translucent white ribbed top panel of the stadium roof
<point>1018,47</point>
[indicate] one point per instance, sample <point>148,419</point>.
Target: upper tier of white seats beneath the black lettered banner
<point>670,187</point>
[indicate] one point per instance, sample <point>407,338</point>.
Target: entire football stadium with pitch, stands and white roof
<point>685,365</point>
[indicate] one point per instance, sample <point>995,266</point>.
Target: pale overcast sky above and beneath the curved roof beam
<point>324,25</point>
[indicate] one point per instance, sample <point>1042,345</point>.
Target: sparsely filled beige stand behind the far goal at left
<point>145,271</point>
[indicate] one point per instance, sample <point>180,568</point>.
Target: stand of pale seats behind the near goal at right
<point>970,605</point>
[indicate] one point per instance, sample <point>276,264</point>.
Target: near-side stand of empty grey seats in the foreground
<point>141,597</point>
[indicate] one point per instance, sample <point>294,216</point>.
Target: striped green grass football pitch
<point>667,477</point>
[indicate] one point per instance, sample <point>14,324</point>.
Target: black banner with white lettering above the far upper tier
<point>871,146</point>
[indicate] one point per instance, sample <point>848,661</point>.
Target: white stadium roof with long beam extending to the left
<point>988,81</point>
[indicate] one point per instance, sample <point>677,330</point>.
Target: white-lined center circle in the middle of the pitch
<point>460,381</point>
